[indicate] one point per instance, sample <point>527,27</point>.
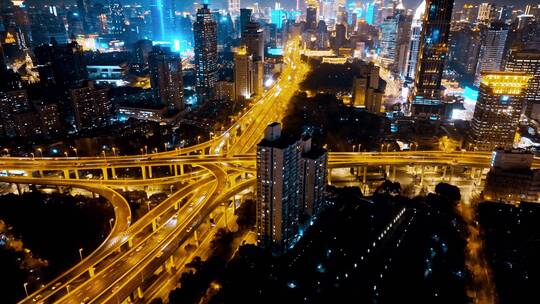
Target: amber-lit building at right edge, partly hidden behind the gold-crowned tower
<point>528,61</point>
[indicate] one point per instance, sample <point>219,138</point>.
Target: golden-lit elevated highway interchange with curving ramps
<point>219,169</point>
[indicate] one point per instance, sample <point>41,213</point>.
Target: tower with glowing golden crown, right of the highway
<point>497,111</point>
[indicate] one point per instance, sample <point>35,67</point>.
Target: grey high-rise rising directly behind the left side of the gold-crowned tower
<point>492,49</point>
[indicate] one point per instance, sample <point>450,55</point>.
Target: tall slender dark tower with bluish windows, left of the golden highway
<point>205,33</point>
